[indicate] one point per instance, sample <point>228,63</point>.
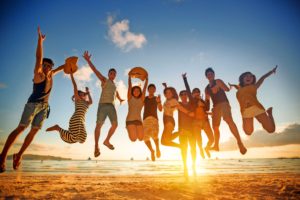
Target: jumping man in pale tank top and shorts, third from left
<point>106,106</point>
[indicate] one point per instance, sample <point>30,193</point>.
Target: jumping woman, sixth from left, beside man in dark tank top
<point>170,105</point>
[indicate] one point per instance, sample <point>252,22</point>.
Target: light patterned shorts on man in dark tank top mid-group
<point>151,128</point>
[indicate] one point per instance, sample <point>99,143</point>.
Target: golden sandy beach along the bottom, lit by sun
<point>227,186</point>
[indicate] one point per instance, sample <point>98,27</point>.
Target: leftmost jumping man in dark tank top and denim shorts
<point>36,108</point>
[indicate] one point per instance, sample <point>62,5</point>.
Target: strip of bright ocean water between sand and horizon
<point>113,167</point>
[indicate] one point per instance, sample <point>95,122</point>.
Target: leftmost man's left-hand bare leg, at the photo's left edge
<point>9,142</point>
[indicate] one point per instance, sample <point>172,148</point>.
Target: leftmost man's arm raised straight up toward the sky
<point>39,53</point>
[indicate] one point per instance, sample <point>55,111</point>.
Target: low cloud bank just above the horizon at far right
<point>260,138</point>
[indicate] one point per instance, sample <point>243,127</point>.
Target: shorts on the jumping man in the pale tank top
<point>106,110</point>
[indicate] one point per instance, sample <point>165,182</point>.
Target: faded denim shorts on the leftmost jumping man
<point>34,113</point>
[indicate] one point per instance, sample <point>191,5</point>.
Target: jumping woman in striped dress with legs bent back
<point>76,132</point>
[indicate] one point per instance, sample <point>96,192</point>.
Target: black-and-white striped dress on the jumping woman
<point>76,132</point>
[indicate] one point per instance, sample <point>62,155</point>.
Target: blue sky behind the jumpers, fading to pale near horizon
<point>167,37</point>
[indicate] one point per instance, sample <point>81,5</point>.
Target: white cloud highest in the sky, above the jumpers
<point>120,35</point>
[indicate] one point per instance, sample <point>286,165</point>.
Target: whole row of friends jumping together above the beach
<point>193,111</point>
